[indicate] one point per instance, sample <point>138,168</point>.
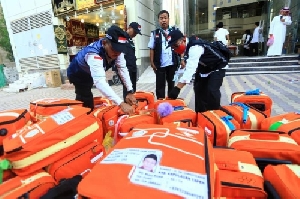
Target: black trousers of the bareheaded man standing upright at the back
<point>164,74</point>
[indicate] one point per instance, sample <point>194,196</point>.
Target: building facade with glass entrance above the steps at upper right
<point>200,17</point>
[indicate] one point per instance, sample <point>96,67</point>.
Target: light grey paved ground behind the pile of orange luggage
<point>284,92</point>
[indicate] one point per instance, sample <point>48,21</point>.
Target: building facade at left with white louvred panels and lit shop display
<point>47,34</point>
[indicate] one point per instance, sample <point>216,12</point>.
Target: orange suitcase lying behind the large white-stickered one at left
<point>42,108</point>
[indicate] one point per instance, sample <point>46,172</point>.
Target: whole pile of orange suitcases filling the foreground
<point>58,149</point>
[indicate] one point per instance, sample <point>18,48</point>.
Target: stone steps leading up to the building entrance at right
<point>263,65</point>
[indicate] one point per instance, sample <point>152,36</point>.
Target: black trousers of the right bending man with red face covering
<point>207,91</point>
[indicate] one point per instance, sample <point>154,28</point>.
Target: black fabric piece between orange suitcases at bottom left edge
<point>66,189</point>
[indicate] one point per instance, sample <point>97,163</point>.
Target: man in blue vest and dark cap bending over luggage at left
<point>89,66</point>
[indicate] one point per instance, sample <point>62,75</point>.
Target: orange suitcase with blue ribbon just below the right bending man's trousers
<point>217,125</point>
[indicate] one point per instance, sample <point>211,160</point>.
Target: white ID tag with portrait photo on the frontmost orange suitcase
<point>150,173</point>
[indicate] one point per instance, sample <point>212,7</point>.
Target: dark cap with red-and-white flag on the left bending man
<point>117,37</point>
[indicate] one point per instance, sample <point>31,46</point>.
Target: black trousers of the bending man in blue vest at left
<point>83,83</point>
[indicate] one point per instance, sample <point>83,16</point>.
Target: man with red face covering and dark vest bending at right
<point>208,63</point>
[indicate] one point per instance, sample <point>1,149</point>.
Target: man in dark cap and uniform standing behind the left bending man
<point>133,29</point>
